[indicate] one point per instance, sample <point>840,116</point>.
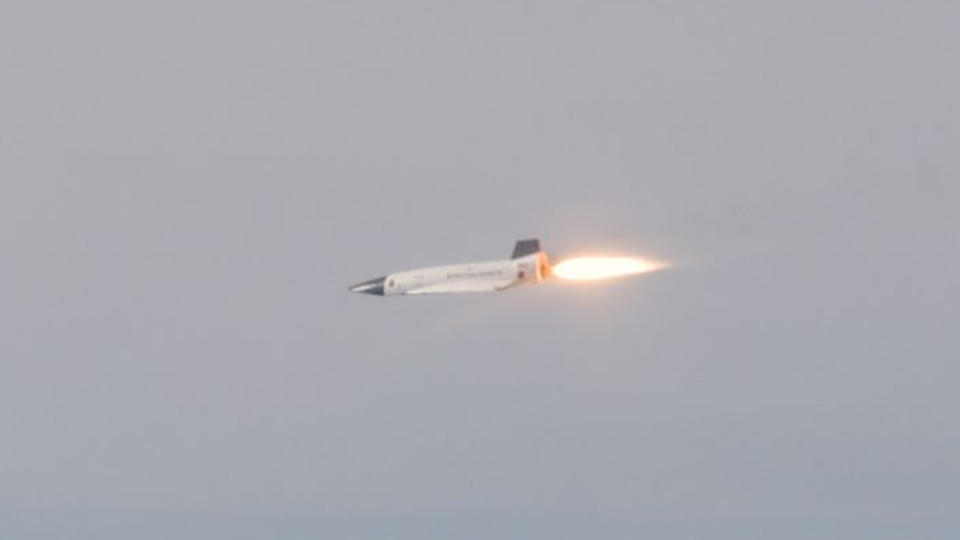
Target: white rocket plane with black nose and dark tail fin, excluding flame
<point>527,265</point>
